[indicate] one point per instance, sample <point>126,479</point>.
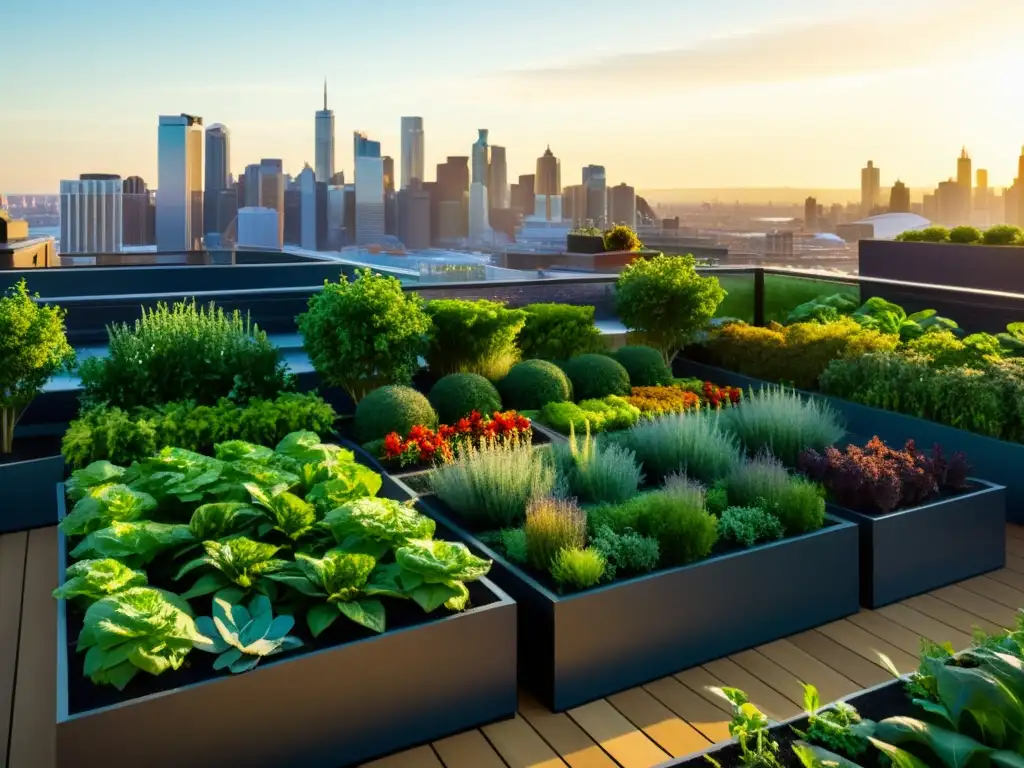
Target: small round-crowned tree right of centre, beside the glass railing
<point>665,302</point>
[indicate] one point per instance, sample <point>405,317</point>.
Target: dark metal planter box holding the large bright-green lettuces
<point>330,708</point>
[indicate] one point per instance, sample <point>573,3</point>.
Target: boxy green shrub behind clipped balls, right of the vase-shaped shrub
<point>558,332</point>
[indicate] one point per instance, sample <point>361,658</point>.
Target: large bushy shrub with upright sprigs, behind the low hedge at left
<point>185,354</point>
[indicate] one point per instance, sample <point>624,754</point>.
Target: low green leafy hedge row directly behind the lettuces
<point>126,437</point>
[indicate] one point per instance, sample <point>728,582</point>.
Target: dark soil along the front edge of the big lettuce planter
<point>198,668</point>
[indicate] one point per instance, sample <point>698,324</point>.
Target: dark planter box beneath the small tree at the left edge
<point>28,493</point>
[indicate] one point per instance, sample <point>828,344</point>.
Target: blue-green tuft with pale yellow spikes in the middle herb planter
<point>598,474</point>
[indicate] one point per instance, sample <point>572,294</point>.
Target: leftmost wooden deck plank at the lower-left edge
<point>13,552</point>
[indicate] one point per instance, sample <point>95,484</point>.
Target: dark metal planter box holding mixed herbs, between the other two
<point>579,648</point>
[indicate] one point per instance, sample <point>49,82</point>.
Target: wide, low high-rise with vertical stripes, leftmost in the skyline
<point>92,215</point>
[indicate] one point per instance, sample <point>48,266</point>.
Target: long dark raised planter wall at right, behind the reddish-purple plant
<point>996,461</point>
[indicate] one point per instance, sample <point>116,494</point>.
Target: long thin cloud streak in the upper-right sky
<point>941,32</point>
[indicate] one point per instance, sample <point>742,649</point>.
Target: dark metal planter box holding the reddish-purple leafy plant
<point>917,550</point>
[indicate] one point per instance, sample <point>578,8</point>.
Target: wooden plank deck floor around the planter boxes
<point>638,729</point>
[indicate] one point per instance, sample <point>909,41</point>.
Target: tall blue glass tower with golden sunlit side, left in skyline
<point>180,183</point>
